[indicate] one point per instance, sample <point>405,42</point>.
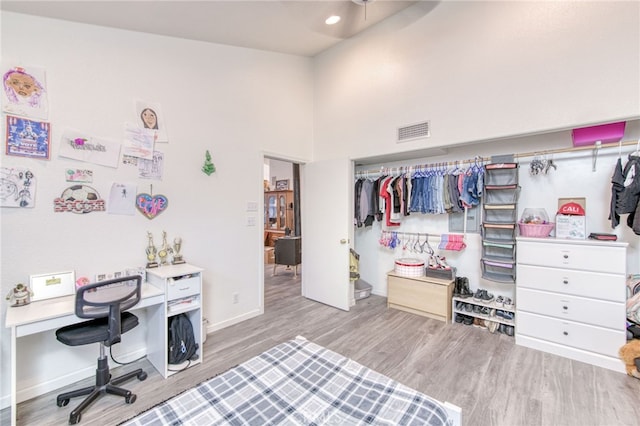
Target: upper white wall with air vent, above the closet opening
<point>478,71</point>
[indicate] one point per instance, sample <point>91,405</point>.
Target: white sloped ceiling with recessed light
<point>294,27</point>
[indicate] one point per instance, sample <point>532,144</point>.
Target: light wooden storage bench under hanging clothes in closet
<point>426,296</point>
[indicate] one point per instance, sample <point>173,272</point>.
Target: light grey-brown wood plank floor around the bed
<point>493,380</point>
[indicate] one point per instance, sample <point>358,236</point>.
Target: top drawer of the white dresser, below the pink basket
<point>587,257</point>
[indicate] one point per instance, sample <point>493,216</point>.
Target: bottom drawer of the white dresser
<point>581,336</point>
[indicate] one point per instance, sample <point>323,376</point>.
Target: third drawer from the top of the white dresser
<point>562,306</point>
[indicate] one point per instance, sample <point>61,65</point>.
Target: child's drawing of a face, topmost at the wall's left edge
<point>24,92</point>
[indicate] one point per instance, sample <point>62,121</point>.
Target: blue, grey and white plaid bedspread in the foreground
<point>297,383</point>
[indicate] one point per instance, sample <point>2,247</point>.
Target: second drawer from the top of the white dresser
<point>597,285</point>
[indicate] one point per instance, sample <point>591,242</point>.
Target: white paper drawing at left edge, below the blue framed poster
<point>17,187</point>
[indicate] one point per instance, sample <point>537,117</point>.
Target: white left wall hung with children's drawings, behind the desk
<point>235,102</point>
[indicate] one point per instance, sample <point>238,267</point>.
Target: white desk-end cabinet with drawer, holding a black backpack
<point>182,285</point>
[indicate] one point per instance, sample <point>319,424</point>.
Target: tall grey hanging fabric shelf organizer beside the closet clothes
<point>498,262</point>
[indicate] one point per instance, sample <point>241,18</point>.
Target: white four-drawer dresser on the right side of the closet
<point>570,298</point>
